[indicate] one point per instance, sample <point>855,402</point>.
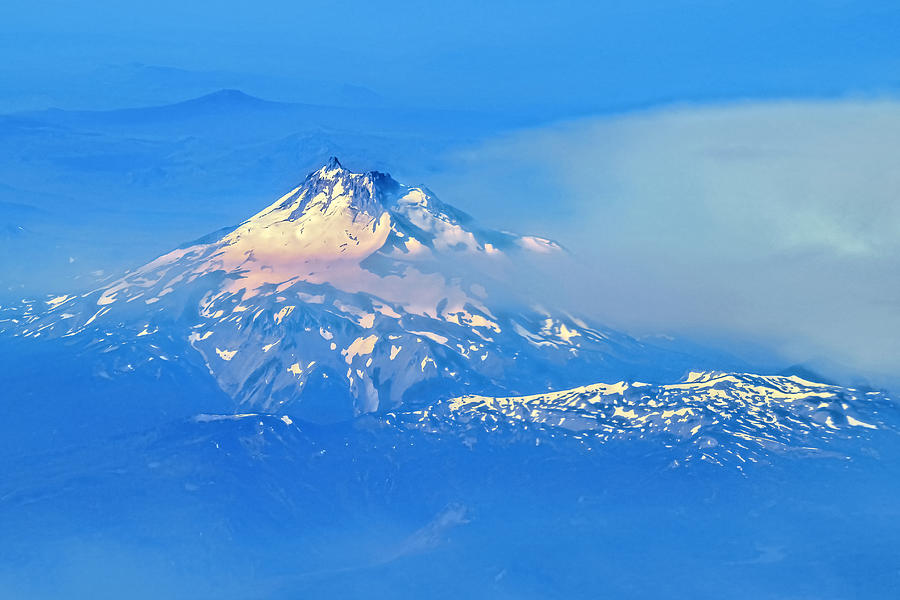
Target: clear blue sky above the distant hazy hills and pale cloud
<point>549,60</point>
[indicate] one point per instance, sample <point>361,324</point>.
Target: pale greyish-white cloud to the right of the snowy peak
<point>776,222</point>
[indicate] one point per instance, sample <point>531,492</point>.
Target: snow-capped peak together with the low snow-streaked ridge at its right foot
<point>356,294</point>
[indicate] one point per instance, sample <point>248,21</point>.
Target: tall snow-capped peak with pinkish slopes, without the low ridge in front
<point>352,293</point>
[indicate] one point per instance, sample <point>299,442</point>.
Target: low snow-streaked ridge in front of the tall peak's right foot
<point>718,417</point>
